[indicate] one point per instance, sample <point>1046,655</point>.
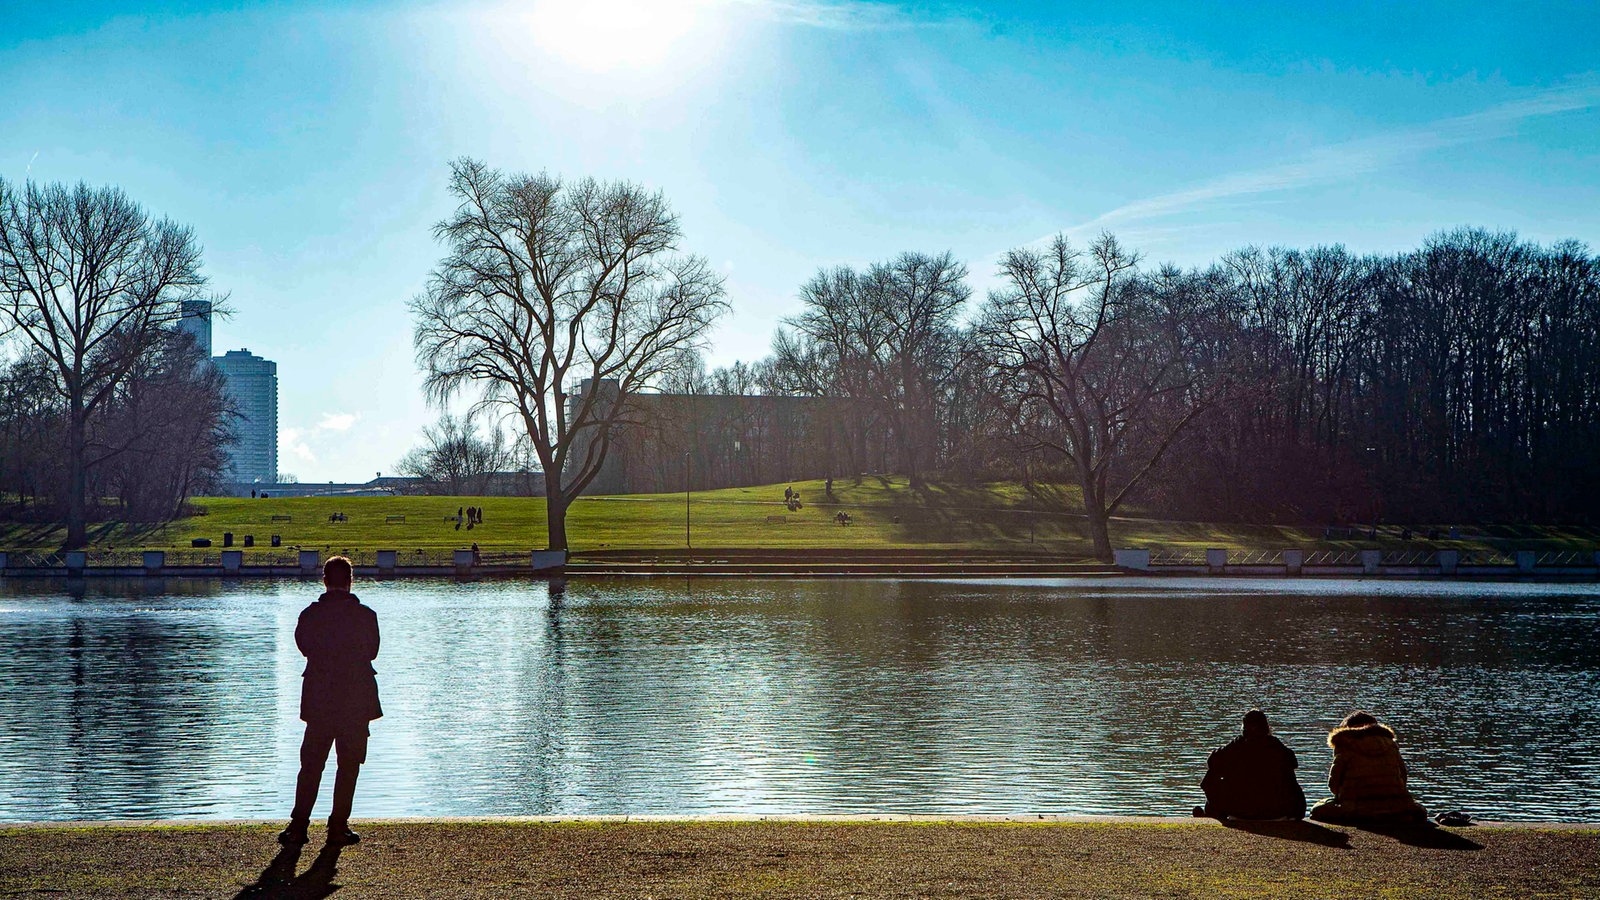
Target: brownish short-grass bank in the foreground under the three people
<point>793,859</point>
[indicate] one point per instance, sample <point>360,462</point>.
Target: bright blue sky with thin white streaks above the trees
<point>308,143</point>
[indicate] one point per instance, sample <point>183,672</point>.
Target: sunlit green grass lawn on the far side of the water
<point>886,512</point>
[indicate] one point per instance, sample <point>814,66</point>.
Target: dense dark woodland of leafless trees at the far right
<point>1458,382</point>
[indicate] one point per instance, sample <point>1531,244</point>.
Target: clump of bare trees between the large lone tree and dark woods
<point>1076,361</point>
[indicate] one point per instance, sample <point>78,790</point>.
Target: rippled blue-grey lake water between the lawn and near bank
<point>178,699</point>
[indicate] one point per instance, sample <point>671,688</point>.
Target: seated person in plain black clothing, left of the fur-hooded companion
<point>1254,777</point>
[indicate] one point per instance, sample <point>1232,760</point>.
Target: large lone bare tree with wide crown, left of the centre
<point>550,287</point>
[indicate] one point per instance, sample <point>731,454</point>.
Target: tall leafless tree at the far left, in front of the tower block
<point>92,284</point>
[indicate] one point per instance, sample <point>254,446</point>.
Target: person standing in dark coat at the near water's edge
<point>338,638</point>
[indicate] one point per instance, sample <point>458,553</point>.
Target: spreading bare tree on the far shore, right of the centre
<point>1102,363</point>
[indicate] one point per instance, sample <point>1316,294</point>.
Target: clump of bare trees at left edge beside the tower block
<point>100,395</point>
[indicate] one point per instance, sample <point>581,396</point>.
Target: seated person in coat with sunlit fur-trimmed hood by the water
<point>1369,777</point>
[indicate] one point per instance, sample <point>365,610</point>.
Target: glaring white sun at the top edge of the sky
<point>617,34</point>
